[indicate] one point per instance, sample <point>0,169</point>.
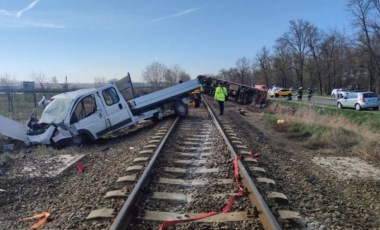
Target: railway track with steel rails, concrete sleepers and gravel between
<point>195,173</point>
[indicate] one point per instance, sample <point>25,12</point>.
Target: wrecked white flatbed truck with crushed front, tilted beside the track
<point>87,114</point>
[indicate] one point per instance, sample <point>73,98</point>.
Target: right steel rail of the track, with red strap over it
<point>265,214</point>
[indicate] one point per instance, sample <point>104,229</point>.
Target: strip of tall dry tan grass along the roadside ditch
<point>340,134</point>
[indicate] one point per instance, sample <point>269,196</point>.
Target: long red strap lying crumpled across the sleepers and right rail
<point>229,203</point>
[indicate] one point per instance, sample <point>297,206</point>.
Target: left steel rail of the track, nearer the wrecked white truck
<point>123,217</point>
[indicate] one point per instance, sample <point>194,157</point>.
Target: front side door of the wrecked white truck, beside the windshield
<point>89,116</point>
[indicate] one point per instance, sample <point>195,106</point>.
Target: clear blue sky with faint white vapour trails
<point>88,39</point>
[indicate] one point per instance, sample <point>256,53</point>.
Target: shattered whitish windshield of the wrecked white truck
<point>56,111</point>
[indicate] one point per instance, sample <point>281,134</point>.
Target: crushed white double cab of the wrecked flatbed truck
<point>84,114</point>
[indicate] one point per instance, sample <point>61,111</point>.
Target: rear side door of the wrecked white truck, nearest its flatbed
<point>116,108</point>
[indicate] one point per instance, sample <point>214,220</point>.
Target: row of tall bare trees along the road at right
<point>310,57</point>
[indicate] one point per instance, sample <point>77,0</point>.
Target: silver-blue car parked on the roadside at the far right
<point>358,101</point>
